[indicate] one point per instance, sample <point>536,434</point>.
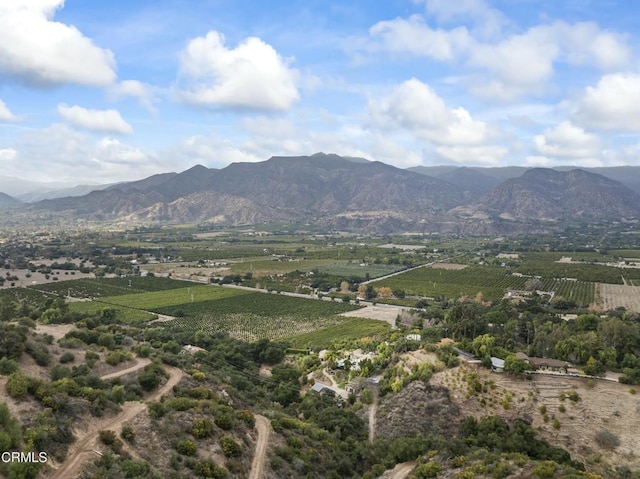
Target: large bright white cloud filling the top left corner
<point>40,51</point>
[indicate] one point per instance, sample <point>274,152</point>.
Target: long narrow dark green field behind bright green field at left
<point>101,287</point>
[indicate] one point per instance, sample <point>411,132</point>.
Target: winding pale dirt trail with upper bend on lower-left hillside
<point>88,440</point>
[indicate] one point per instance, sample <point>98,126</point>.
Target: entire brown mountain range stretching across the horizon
<point>335,192</point>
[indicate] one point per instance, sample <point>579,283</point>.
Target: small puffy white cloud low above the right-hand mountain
<point>568,141</point>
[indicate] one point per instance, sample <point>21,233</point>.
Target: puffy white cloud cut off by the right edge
<point>614,104</point>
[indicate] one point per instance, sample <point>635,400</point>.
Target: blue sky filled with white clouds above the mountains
<point>103,91</point>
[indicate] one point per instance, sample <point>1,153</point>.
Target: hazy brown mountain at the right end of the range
<point>546,194</point>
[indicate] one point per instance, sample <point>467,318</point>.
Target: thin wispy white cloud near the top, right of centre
<point>414,36</point>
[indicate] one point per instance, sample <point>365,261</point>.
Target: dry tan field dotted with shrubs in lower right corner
<point>603,405</point>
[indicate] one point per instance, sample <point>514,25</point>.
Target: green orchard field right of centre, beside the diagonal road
<point>453,283</point>
